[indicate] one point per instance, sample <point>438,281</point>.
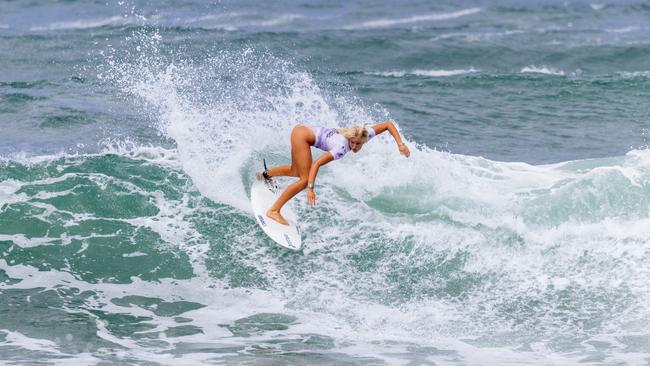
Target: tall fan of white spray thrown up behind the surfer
<point>223,107</point>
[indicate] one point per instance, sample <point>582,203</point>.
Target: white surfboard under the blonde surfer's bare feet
<point>263,197</point>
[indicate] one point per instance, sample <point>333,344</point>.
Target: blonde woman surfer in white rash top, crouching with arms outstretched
<point>336,142</point>
